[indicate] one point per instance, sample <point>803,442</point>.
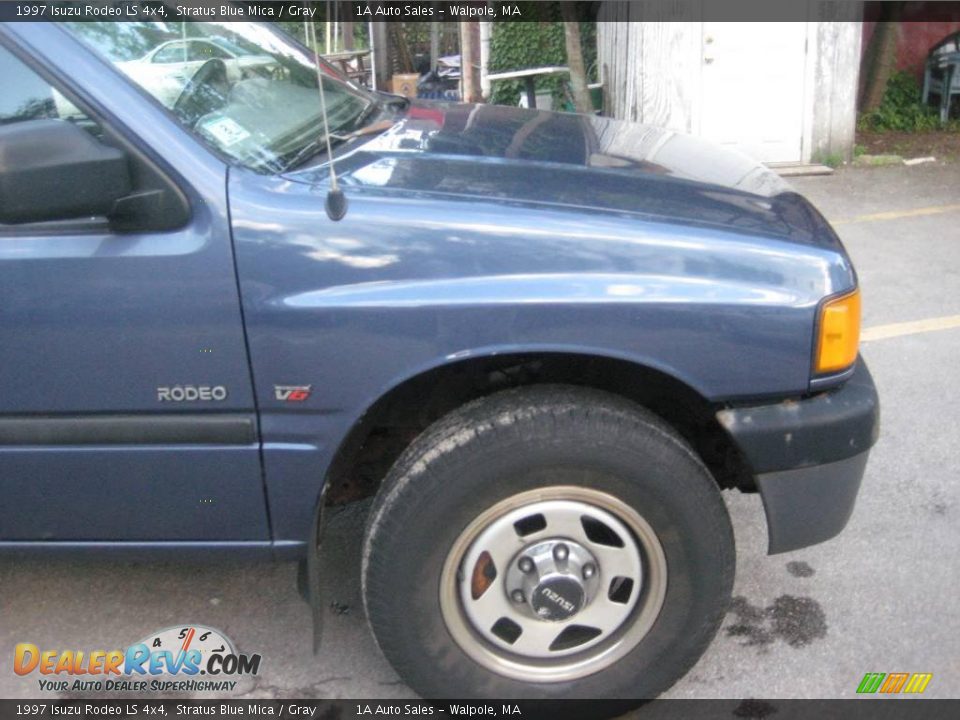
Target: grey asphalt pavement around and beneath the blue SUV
<point>808,624</point>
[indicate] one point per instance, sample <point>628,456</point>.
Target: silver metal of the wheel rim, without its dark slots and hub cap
<point>641,559</point>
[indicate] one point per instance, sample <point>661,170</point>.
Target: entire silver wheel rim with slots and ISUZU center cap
<point>553,584</point>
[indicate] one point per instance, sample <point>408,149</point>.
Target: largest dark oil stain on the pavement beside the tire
<point>797,621</point>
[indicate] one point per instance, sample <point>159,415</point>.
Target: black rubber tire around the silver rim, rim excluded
<point>525,439</point>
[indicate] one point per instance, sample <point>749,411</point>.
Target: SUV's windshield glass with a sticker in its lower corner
<point>245,89</point>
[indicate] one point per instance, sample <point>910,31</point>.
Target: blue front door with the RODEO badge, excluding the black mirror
<point>126,408</point>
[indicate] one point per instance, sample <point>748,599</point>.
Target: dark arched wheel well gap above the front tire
<point>395,420</point>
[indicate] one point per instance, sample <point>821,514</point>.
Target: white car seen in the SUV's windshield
<point>166,70</point>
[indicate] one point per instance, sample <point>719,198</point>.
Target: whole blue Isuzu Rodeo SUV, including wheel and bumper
<point>543,343</point>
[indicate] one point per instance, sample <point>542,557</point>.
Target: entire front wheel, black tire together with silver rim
<point>547,542</point>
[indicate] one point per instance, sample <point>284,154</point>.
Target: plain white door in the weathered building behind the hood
<point>753,87</point>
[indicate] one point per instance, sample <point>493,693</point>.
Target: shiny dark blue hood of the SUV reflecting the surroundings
<point>509,154</point>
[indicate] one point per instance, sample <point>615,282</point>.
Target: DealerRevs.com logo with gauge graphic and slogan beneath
<point>187,658</point>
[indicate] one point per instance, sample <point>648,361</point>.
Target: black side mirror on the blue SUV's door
<point>53,170</point>
